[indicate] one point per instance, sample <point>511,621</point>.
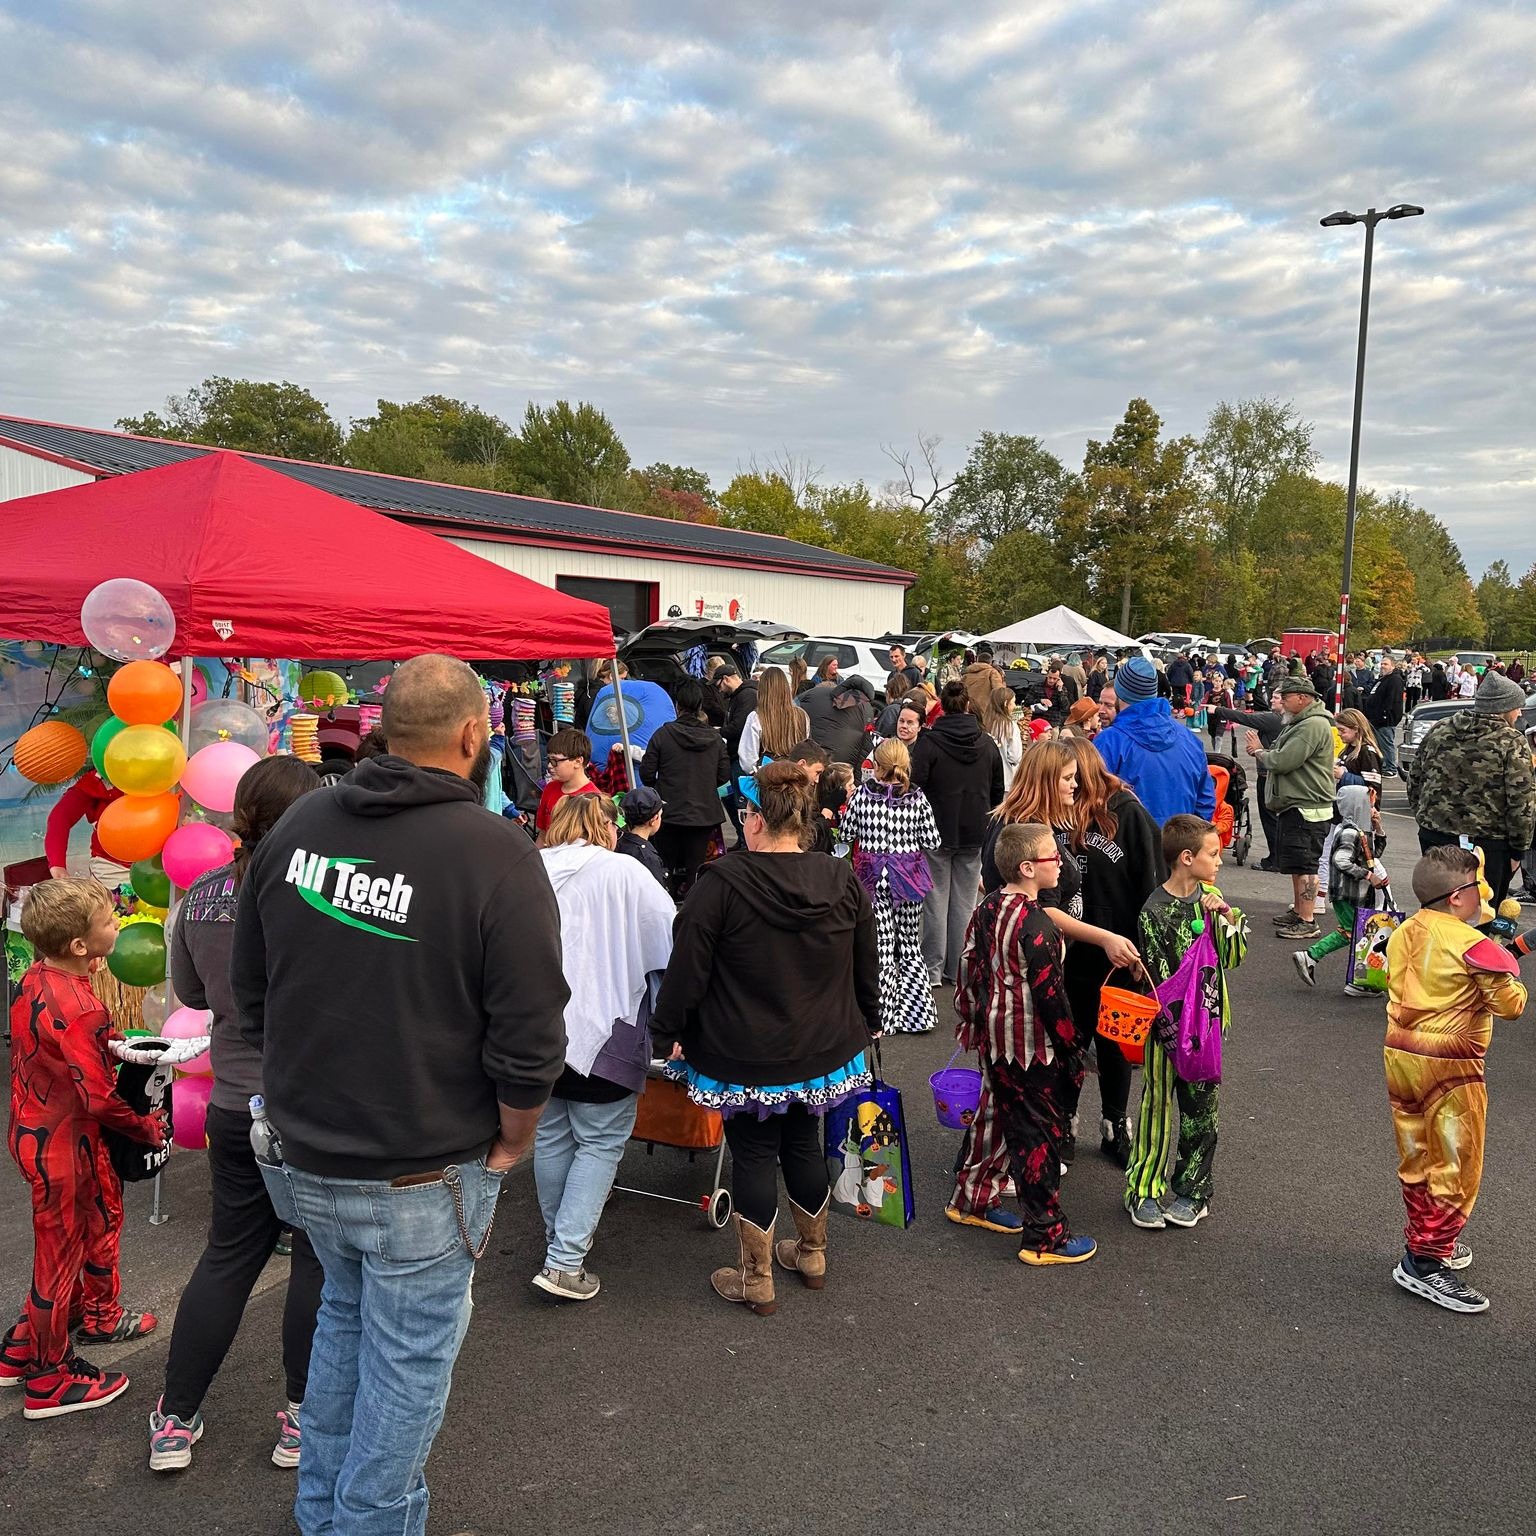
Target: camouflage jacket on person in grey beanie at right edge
<point>1472,775</point>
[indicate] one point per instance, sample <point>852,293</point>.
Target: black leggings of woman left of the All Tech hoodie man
<point>242,1236</point>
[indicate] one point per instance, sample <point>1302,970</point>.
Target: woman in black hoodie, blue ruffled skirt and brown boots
<point>772,996</point>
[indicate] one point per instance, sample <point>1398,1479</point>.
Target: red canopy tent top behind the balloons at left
<point>257,564</point>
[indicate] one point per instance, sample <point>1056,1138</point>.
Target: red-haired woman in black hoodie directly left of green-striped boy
<point>1119,855</point>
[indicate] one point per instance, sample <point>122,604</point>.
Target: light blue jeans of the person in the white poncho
<point>575,1157</point>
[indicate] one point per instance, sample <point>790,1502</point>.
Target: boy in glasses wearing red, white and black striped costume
<point>1011,1004</point>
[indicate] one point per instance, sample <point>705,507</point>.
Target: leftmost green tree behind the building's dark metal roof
<point>250,415</point>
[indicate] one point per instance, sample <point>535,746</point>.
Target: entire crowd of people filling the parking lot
<point>1027,847</point>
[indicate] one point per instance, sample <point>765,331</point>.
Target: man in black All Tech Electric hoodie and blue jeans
<point>397,962</point>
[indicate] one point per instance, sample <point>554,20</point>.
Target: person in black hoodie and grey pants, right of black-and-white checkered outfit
<point>958,766</point>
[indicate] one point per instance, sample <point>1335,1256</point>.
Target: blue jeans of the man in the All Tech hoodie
<point>392,1319</point>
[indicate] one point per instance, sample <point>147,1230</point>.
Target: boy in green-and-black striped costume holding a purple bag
<point>1179,1119</point>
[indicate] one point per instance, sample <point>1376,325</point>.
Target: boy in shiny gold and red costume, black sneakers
<point>1446,985</point>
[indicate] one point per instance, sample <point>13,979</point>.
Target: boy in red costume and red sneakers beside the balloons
<point>64,1093</point>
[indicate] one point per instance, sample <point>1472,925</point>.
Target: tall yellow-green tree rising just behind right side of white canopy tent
<point>1131,517</point>
